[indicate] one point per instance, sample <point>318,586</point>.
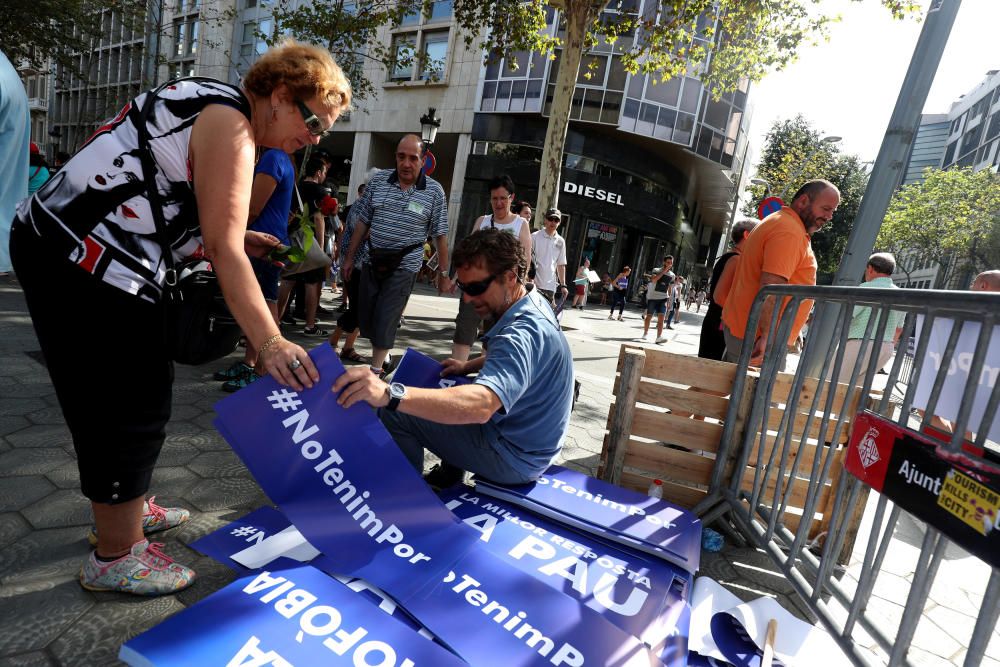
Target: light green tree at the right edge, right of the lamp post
<point>951,217</point>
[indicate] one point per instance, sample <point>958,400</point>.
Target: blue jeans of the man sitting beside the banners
<point>467,446</point>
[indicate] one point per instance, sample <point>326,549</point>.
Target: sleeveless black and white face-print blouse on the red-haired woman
<point>94,211</point>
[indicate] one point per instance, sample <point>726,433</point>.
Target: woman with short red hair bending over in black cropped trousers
<point>85,240</point>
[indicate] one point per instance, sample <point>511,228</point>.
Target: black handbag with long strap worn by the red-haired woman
<point>198,326</point>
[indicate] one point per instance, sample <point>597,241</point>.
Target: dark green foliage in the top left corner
<point>42,29</point>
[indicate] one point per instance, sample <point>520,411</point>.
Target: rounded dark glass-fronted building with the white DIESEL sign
<point>670,154</point>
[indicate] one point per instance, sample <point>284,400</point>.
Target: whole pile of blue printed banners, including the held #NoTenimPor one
<point>477,584</point>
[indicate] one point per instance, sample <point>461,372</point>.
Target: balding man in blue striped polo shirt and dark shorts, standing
<point>401,207</point>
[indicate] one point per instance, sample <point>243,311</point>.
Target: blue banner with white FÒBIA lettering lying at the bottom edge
<point>298,616</point>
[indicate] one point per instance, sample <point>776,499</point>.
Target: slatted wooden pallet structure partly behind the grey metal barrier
<point>665,423</point>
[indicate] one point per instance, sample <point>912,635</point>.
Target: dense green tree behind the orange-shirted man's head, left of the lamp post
<point>793,154</point>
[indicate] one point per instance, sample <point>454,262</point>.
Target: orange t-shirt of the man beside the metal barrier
<point>778,245</point>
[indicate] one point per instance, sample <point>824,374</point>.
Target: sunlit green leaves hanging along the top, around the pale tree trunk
<point>722,41</point>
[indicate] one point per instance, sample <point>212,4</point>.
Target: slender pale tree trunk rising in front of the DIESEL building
<point>578,14</point>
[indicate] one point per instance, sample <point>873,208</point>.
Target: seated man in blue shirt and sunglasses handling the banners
<point>508,425</point>
